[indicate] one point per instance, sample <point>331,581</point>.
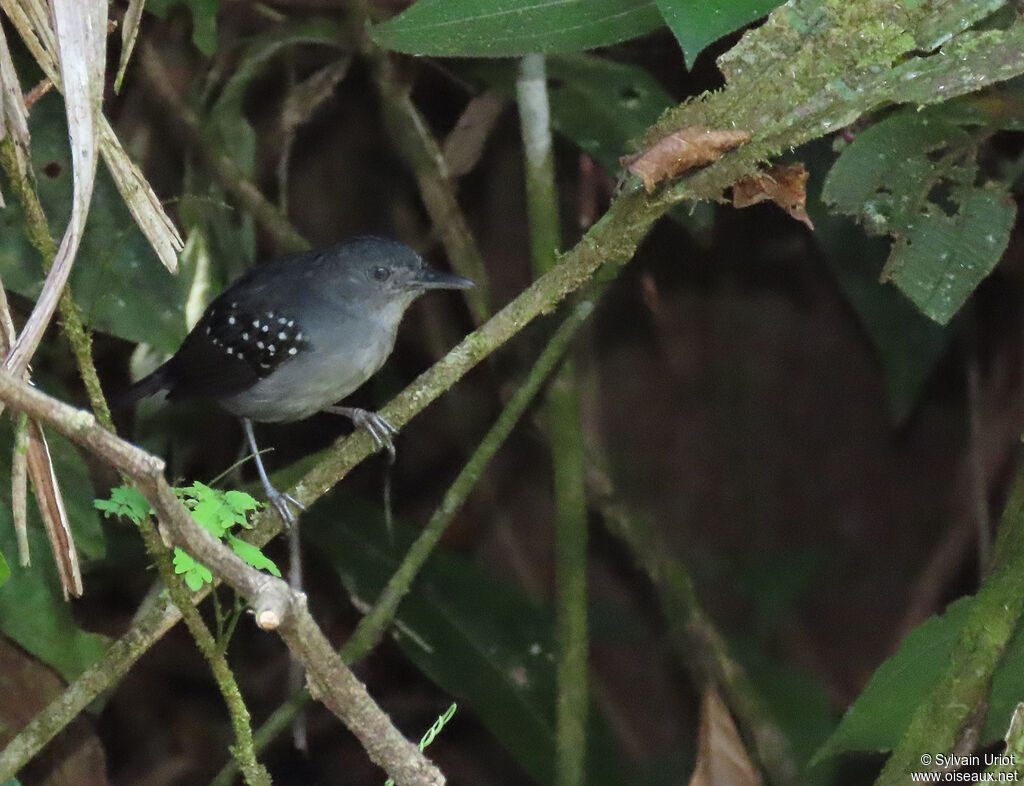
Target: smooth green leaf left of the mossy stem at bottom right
<point>883,712</point>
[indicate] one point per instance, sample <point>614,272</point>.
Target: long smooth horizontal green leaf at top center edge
<point>510,28</point>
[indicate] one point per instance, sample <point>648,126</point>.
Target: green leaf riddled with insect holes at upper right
<point>913,177</point>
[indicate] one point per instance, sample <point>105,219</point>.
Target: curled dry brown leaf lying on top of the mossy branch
<point>681,152</point>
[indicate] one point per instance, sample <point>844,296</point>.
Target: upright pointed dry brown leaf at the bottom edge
<point>722,760</point>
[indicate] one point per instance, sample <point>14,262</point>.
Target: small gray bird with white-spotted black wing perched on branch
<point>291,337</point>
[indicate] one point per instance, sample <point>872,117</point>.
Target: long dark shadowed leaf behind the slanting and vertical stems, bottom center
<point>478,639</point>
